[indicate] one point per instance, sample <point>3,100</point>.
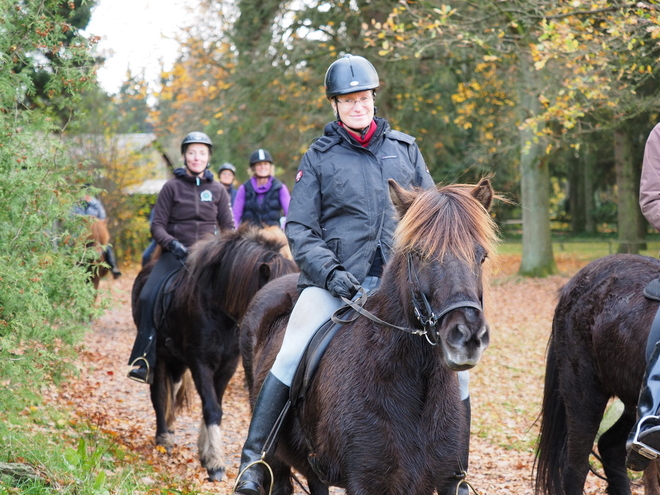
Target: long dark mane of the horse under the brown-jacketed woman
<point>222,268</point>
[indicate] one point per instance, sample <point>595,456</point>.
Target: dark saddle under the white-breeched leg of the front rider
<point>314,352</point>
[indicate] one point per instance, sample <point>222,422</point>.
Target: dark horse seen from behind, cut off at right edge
<point>596,352</point>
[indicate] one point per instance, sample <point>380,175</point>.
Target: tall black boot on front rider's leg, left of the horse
<point>269,411</point>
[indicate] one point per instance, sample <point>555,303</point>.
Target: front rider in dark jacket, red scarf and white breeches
<point>340,228</point>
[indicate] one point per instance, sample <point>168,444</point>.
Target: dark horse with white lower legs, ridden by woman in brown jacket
<point>198,329</point>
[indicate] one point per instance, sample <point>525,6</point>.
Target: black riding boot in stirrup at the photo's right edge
<point>643,443</point>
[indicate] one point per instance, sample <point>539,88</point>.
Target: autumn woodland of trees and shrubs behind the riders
<point>554,99</point>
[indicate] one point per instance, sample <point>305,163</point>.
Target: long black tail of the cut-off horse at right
<point>551,447</point>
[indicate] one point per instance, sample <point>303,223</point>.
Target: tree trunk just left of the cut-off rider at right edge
<point>627,186</point>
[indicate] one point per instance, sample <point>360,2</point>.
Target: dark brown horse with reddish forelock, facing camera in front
<point>383,414</point>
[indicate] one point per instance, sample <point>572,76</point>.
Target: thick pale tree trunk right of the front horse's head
<point>537,257</point>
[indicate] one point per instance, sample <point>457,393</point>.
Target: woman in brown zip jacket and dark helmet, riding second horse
<point>189,207</point>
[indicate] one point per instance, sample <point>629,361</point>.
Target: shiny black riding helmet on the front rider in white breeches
<point>350,74</point>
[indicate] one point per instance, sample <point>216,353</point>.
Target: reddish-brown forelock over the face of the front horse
<point>446,220</point>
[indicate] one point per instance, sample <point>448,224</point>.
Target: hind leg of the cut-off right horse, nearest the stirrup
<point>612,449</point>
